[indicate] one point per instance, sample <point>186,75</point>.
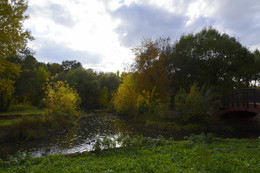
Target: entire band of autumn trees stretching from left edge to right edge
<point>176,82</point>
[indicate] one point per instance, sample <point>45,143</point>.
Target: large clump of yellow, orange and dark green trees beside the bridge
<point>186,76</point>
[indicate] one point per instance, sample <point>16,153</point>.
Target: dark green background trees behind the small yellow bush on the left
<point>94,88</point>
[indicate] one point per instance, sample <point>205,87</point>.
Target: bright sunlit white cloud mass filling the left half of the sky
<point>81,26</point>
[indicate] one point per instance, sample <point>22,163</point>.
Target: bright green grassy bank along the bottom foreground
<point>198,154</point>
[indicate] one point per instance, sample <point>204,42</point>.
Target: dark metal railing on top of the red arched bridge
<point>245,96</point>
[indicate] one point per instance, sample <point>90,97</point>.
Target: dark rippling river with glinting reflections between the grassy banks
<point>83,135</point>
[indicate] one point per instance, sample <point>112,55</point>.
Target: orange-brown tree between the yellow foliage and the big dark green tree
<point>149,69</point>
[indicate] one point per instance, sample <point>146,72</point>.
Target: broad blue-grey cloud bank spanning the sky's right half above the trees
<point>240,17</point>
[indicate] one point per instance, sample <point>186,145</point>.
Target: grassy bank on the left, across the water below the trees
<point>23,123</point>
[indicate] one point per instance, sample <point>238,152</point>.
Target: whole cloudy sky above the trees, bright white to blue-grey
<point>101,33</point>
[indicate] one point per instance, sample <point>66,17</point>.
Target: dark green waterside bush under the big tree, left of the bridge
<point>195,106</point>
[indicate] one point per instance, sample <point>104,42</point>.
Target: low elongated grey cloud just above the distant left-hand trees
<point>51,51</point>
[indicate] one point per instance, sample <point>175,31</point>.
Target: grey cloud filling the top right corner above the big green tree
<point>241,17</point>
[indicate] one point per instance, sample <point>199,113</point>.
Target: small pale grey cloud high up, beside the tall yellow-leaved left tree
<point>56,12</point>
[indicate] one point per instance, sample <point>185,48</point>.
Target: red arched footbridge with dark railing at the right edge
<point>240,104</point>
